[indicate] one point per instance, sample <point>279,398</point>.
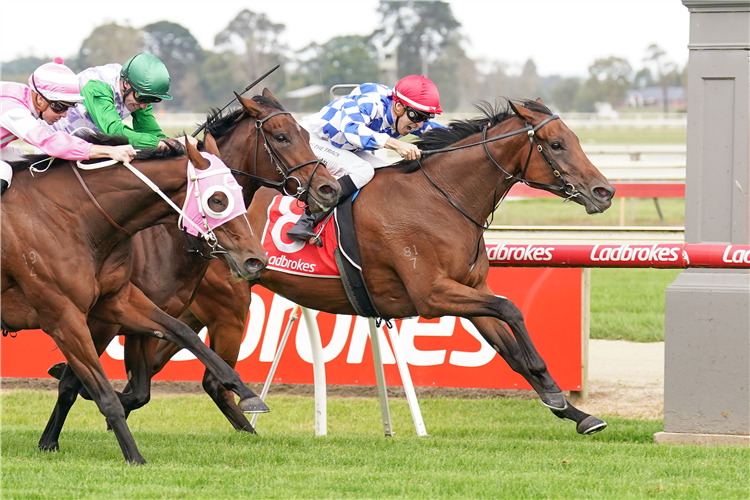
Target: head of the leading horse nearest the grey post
<point>561,167</point>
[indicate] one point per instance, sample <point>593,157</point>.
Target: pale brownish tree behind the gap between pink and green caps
<point>110,43</point>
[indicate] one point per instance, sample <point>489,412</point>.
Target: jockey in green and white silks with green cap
<point>113,92</point>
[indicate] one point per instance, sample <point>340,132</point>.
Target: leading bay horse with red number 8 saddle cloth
<point>438,205</point>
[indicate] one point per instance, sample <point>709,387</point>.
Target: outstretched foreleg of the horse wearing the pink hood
<point>133,310</point>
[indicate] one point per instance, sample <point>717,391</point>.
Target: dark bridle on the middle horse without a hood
<point>302,193</point>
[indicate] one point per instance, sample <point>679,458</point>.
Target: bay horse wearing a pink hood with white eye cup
<point>65,256</point>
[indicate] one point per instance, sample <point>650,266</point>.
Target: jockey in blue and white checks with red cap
<point>372,116</point>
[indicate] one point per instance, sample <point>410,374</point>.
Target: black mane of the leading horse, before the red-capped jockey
<point>457,130</point>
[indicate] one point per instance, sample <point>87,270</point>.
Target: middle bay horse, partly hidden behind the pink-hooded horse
<point>169,276</point>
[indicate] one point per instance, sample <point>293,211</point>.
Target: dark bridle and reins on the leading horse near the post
<point>567,188</point>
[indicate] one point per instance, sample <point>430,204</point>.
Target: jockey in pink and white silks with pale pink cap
<point>53,89</point>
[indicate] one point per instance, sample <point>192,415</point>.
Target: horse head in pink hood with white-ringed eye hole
<point>222,210</point>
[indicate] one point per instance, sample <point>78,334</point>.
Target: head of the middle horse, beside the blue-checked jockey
<point>285,160</point>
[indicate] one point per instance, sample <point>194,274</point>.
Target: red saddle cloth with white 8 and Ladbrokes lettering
<point>296,257</point>
